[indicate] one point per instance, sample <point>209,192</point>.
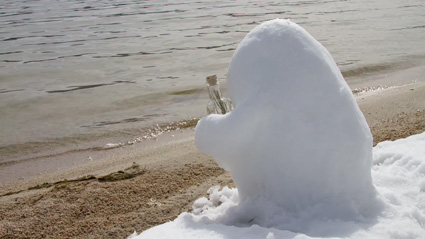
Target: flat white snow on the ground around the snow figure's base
<point>398,173</point>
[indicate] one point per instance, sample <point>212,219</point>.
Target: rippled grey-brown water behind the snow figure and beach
<point>87,67</point>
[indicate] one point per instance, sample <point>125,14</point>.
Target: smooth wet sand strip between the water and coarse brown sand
<point>391,113</point>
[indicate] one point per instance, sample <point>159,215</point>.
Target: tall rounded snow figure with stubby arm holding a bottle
<point>296,139</point>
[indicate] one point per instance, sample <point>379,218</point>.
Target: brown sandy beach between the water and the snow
<point>96,190</point>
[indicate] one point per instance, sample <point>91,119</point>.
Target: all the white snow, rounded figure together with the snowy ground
<point>300,153</point>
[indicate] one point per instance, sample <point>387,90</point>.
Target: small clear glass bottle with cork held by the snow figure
<point>217,104</point>
